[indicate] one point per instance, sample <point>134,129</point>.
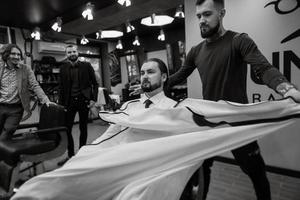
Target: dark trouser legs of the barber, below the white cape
<point>251,162</point>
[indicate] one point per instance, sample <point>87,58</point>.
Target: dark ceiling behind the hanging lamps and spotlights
<point>108,14</point>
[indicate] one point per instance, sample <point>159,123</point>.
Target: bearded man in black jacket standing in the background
<point>78,93</point>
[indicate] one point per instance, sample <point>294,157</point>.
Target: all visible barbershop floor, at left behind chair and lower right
<point>228,181</point>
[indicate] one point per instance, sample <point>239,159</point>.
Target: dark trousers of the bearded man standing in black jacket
<point>77,104</point>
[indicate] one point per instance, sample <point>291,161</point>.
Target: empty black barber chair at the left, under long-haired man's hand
<point>48,141</point>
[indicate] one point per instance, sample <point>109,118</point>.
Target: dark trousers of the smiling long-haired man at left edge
<point>10,117</point>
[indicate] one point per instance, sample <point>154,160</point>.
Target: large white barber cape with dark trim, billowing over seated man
<point>162,148</point>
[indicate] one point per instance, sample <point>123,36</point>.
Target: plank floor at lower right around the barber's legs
<point>230,183</point>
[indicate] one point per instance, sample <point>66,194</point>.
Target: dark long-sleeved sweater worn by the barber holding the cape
<point>222,65</point>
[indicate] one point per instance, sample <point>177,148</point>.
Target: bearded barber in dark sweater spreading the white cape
<point>221,60</point>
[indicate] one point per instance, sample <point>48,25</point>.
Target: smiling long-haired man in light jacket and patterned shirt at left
<point>17,81</point>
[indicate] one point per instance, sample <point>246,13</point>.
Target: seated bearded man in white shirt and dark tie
<point>154,74</point>
